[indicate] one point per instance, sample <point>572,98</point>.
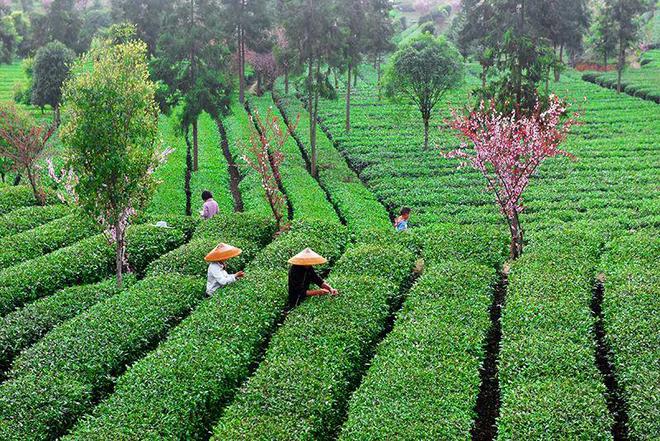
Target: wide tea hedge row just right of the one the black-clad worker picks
<point>442,324</point>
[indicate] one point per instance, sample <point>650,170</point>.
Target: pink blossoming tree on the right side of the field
<point>508,150</point>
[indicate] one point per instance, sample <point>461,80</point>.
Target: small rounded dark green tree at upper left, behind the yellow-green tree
<point>51,68</point>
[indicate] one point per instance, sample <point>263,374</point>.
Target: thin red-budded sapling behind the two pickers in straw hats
<point>264,155</point>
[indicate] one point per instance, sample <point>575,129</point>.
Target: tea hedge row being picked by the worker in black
<point>311,365</point>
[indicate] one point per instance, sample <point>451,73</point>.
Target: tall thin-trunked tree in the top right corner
<point>625,15</point>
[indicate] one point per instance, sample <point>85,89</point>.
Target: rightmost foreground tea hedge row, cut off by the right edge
<point>631,320</point>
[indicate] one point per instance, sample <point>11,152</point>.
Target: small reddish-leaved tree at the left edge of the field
<point>22,144</point>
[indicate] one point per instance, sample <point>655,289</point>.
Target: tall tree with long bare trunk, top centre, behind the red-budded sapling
<point>313,26</point>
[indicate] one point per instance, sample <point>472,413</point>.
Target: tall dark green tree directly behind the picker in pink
<point>192,62</point>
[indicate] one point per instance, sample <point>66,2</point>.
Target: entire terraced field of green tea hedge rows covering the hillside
<point>435,335</point>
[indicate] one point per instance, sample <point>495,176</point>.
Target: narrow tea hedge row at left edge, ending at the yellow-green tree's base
<point>25,326</point>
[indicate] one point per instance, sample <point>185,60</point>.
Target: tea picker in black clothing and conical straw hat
<point>302,276</point>
